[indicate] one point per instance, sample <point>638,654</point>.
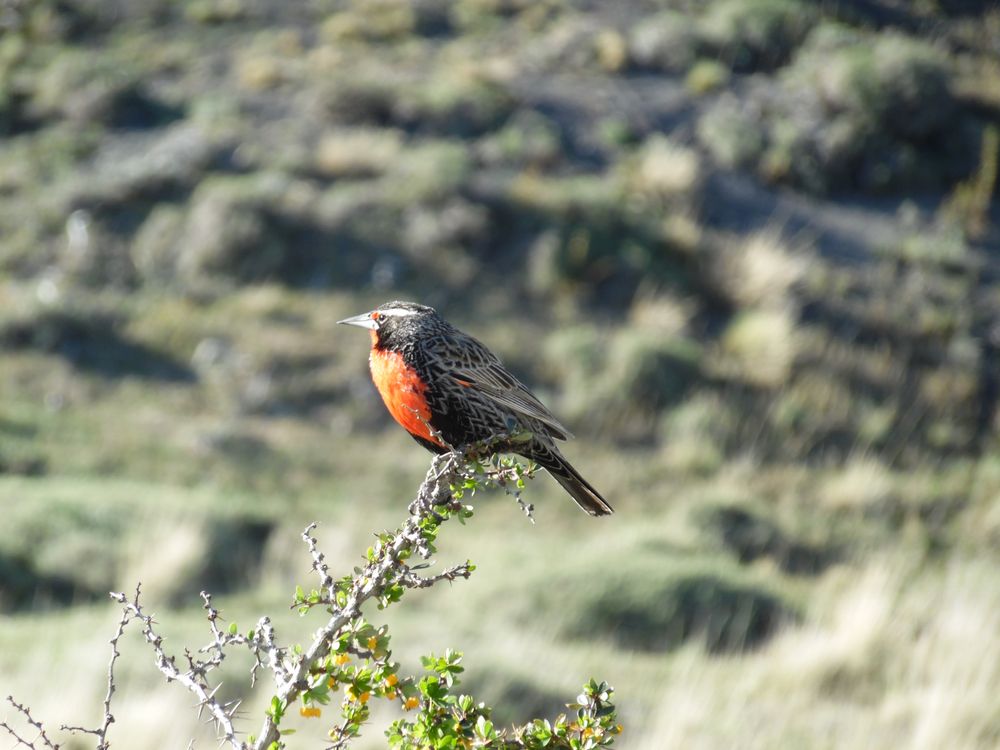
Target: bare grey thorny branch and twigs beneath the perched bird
<point>386,567</point>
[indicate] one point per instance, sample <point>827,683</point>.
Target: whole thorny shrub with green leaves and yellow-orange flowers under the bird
<point>349,654</point>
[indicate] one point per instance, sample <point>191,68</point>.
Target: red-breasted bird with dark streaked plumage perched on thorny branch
<point>448,391</point>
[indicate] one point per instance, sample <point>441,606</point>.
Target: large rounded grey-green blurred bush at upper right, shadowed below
<point>852,111</point>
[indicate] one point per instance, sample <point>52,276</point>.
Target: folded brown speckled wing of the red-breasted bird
<point>472,365</point>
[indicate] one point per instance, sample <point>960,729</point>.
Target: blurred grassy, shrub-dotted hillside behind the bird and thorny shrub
<point>747,250</point>
